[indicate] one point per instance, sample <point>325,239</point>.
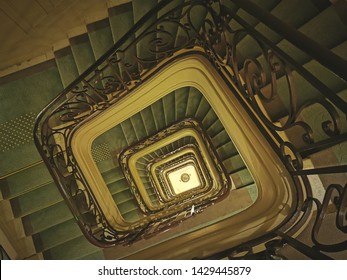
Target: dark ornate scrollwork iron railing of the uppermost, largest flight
<point>120,71</point>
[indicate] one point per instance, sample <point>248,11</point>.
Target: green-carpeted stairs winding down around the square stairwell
<point>36,218</point>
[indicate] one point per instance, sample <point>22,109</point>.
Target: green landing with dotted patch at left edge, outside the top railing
<point>22,99</point>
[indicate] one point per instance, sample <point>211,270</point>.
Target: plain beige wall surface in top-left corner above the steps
<point>30,29</point>
